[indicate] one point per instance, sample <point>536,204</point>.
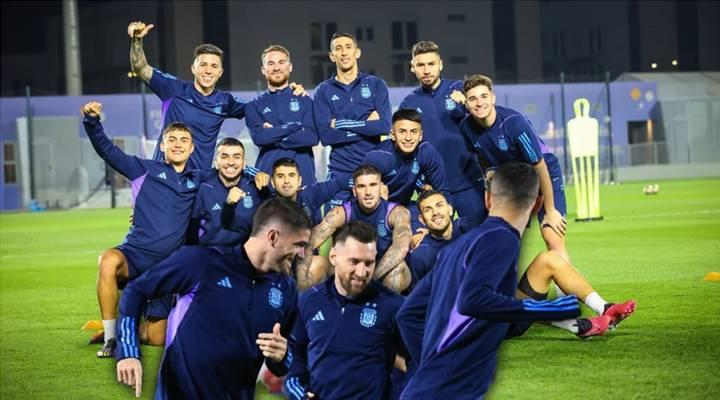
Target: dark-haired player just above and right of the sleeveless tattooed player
<point>406,157</point>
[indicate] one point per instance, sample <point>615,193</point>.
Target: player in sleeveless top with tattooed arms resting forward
<point>391,221</point>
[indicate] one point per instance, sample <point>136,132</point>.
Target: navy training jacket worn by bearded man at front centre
<point>344,348</point>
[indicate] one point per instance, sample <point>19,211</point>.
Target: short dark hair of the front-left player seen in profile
<point>284,211</point>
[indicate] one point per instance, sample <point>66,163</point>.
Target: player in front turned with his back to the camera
<point>454,321</point>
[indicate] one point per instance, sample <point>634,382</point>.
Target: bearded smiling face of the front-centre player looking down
<point>354,263</point>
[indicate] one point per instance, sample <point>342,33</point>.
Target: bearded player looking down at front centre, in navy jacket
<point>345,339</point>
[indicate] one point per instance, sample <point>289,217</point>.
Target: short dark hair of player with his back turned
<point>517,183</point>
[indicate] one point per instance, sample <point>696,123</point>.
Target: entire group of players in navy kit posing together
<point>415,295</point>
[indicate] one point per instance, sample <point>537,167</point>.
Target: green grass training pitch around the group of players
<point>655,249</point>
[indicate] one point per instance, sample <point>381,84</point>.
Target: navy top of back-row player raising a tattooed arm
<point>204,115</point>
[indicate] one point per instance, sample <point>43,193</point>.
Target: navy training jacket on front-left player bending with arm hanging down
<point>224,303</point>
